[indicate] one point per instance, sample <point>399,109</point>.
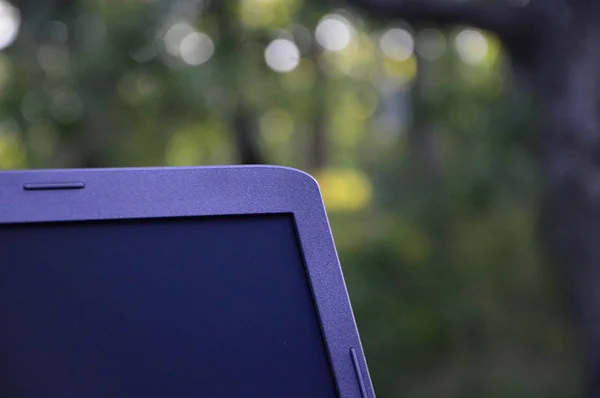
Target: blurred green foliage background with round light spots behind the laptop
<point>422,140</point>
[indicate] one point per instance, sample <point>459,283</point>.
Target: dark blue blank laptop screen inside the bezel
<point>209,307</point>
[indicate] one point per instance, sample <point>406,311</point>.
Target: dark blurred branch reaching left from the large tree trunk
<point>499,17</point>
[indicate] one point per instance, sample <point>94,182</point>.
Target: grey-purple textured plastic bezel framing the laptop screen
<point>33,196</point>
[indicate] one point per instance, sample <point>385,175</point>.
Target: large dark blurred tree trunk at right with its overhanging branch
<point>555,45</point>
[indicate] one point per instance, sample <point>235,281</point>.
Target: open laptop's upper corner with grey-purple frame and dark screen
<point>172,282</point>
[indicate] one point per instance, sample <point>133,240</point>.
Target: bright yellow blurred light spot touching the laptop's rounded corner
<point>345,190</point>
